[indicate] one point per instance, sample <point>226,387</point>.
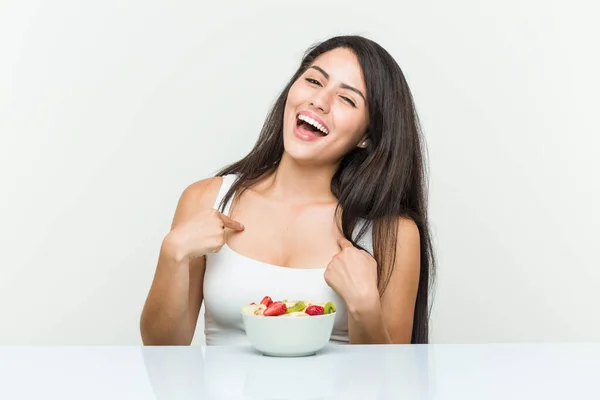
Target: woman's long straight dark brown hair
<point>381,183</point>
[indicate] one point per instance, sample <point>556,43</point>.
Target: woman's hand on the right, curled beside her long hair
<point>352,274</point>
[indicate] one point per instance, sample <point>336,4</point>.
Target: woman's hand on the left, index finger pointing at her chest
<point>202,234</point>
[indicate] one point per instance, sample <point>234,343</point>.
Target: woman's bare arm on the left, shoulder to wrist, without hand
<point>171,310</point>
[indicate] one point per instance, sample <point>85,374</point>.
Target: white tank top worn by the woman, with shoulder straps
<point>232,280</point>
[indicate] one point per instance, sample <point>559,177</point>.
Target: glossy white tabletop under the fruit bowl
<point>542,371</point>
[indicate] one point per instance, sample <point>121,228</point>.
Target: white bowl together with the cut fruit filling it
<point>288,328</point>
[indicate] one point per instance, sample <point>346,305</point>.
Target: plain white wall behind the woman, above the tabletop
<point>108,110</point>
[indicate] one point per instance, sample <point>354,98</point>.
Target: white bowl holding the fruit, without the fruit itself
<point>289,336</point>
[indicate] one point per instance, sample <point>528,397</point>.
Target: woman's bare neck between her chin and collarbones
<point>299,183</point>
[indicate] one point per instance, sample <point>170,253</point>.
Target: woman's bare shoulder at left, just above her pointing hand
<point>196,197</point>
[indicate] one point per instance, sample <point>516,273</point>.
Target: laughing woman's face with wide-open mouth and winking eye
<point>326,113</point>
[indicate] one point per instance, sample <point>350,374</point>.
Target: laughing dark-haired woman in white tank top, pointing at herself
<point>330,204</point>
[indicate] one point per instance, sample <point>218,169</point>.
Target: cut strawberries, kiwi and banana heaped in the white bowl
<point>297,308</point>
